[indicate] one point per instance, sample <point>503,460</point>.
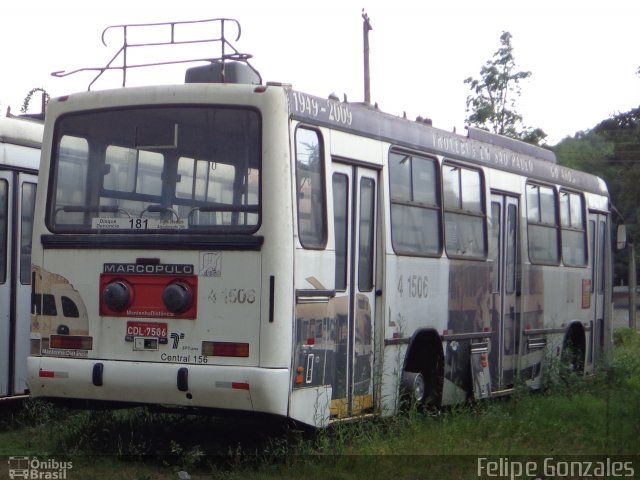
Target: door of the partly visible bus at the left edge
<point>17,197</point>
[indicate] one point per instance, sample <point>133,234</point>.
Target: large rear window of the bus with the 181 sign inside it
<point>178,169</point>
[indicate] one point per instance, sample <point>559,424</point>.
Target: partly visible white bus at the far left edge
<point>20,141</point>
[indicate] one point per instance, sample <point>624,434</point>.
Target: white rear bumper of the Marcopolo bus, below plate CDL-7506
<point>250,389</point>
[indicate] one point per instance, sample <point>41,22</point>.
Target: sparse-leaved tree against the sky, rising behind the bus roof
<point>492,105</point>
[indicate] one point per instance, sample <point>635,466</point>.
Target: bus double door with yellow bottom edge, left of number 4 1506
<point>355,213</point>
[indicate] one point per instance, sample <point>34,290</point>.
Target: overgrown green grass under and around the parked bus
<point>595,416</point>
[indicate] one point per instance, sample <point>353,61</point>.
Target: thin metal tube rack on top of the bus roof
<point>228,53</point>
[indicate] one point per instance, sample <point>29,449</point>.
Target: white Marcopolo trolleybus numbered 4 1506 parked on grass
<point>248,247</point>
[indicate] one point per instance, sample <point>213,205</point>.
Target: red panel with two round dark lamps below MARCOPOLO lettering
<point>151,296</point>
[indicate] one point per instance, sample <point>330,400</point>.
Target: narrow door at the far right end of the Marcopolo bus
<point>596,287</point>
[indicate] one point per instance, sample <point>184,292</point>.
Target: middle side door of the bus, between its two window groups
<point>505,316</point>
